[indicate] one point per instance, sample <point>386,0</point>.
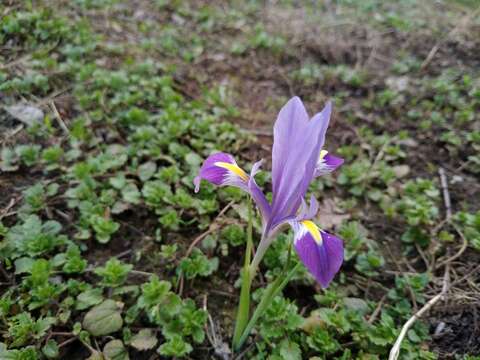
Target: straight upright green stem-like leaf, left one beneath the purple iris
<point>248,273</point>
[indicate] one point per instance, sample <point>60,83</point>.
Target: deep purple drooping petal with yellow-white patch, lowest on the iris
<point>321,252</point>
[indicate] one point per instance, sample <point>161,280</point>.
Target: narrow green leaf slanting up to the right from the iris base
<point>271,291</point>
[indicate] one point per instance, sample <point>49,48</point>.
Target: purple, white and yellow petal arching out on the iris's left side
<point>221,169</point>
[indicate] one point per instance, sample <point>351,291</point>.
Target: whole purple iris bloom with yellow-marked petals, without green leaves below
<point>297,158</point>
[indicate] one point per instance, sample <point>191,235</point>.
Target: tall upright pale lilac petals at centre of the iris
<point>295,154</point>
